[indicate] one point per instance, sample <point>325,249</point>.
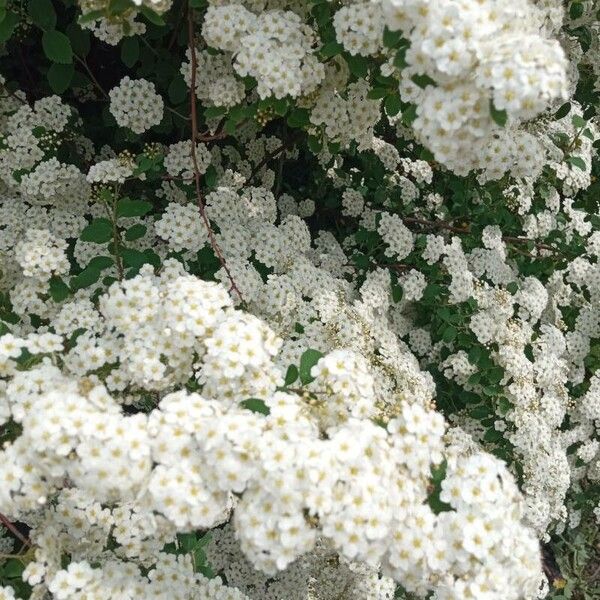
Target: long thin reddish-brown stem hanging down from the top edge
<point>194,138</point>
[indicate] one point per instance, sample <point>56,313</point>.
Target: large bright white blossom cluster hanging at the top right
<point>476,58</point>
